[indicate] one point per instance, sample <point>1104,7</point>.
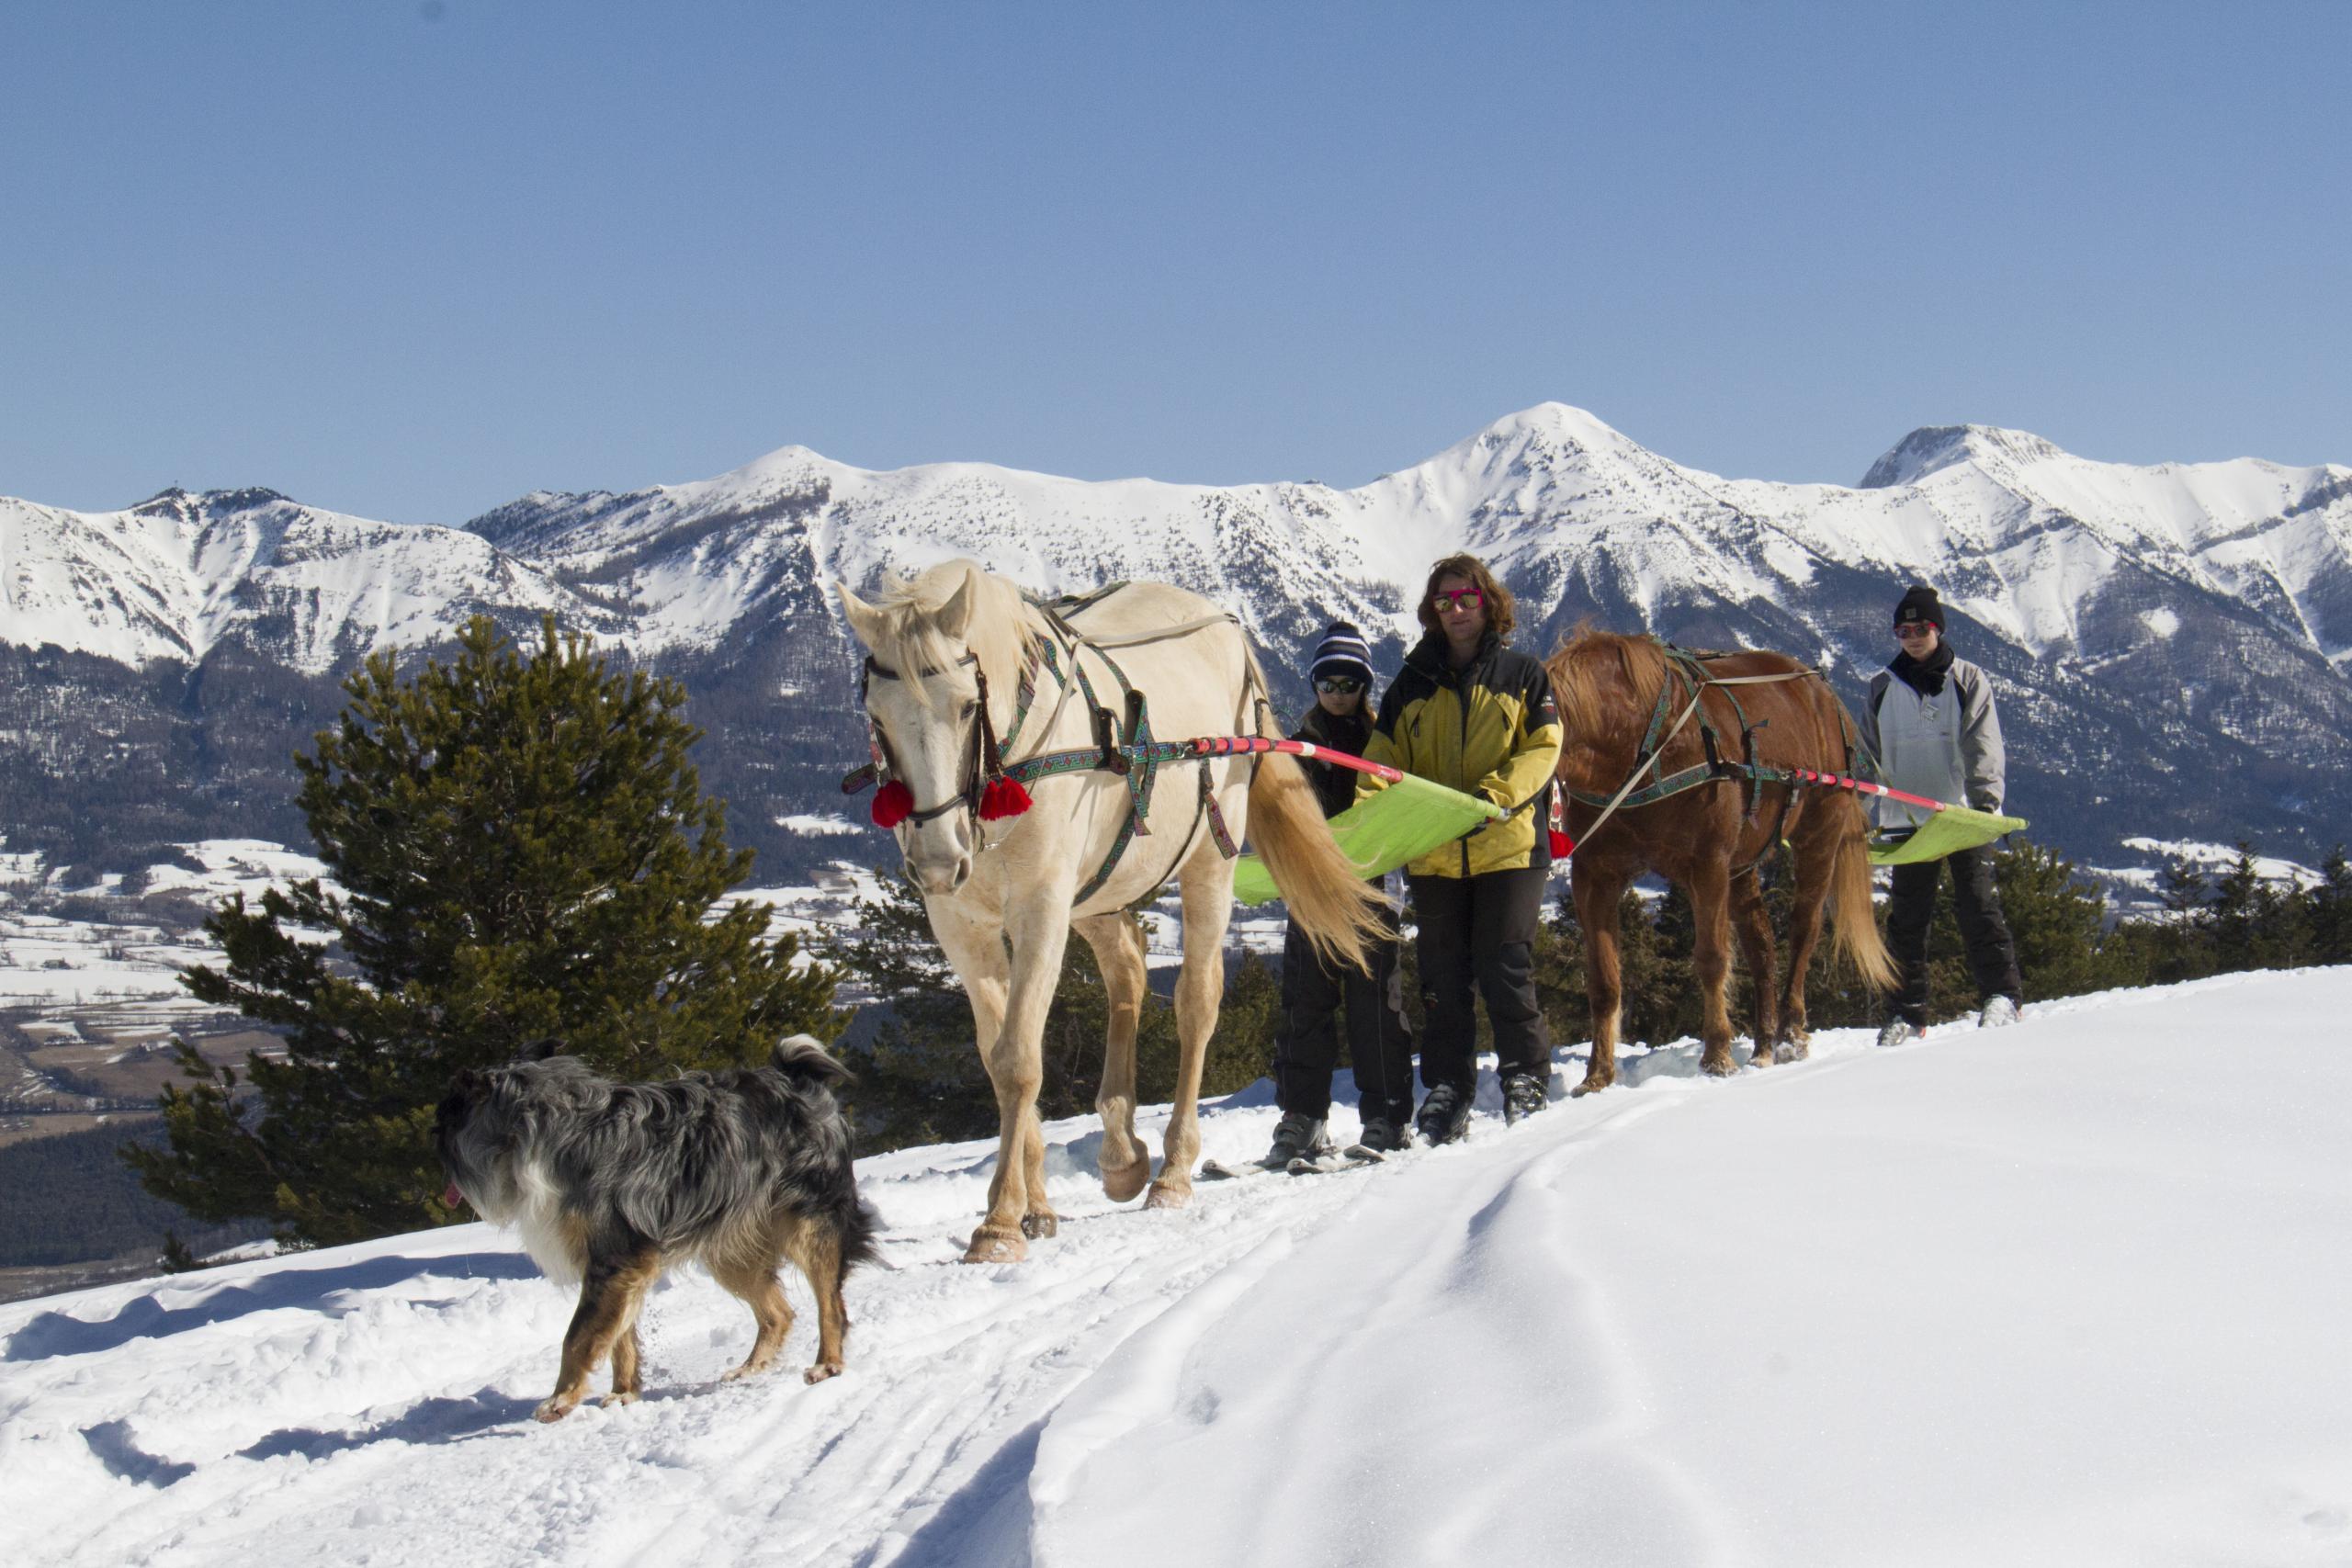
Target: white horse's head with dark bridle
<point>923,697</point>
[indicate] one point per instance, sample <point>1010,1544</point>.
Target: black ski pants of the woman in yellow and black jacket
<point>1481,934</point>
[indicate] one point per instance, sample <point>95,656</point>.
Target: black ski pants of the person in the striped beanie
<point>1379,1038</point>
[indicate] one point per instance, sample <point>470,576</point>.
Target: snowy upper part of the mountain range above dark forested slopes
<point>2019,532</point>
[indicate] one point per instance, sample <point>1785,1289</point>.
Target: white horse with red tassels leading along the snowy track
<point>1005,876</point>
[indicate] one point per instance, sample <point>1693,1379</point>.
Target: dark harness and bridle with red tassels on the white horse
<point>996,789</point>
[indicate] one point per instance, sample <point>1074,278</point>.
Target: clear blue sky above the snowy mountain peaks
<point>410,260</point>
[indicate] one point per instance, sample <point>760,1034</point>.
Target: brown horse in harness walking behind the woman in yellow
<point>1709,838</point>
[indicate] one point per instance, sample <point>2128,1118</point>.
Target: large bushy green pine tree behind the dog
<point>519,850</point>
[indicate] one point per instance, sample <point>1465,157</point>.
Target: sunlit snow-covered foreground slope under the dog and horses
<point>2057,1294</point>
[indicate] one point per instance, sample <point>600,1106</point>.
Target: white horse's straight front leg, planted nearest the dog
<point>1015,1059</point>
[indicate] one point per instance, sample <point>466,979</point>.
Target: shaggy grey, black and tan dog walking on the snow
<point>615,1184</point>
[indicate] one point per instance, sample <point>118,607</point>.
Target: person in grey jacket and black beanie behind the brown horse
<point>1937,732</point>
